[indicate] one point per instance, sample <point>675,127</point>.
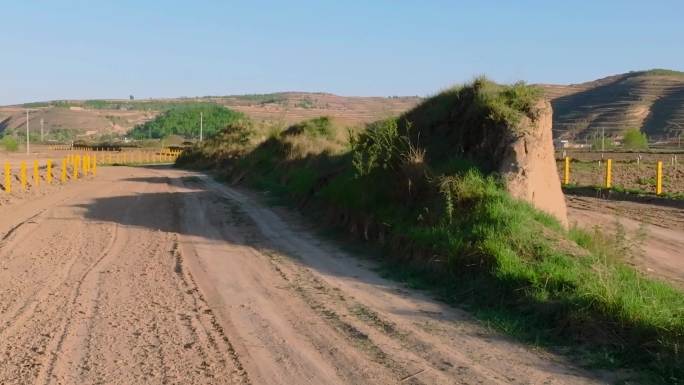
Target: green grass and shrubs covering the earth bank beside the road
<point>421,188</point>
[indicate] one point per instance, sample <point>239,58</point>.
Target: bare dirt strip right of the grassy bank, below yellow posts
<point>655,233</point>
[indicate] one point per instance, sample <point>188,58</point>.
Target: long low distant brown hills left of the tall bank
<point>92,118</point>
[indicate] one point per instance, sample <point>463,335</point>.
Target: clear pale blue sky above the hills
<point>153,48</point>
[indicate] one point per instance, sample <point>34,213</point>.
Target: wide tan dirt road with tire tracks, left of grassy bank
<point>160,276</point>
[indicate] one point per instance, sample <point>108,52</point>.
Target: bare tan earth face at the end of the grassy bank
<point>528,164</point>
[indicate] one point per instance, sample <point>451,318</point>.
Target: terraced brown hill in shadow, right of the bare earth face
<point>652,101</point>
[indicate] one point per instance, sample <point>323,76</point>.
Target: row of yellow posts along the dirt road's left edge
<point>71,167</point>
